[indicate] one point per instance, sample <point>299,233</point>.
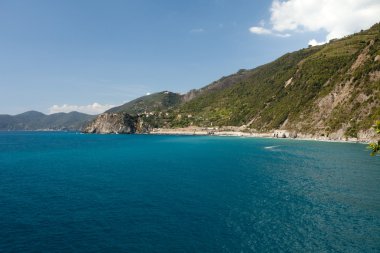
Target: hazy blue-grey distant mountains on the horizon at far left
<point>33,120</point>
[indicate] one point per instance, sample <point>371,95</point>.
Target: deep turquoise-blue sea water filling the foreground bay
<point>68,192</point>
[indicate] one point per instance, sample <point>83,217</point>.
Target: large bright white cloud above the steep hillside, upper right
<point>337,18</point>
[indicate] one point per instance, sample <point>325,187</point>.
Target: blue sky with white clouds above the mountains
<point>90,55</point>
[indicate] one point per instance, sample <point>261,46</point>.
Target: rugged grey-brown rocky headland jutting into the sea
<point>118,123</point>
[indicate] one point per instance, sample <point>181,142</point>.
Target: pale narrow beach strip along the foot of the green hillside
<point>208,132</point>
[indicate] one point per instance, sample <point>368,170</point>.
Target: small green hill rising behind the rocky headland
<point>159,101</point>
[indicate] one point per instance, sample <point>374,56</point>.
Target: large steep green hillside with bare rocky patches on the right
<point>320,89</point>
